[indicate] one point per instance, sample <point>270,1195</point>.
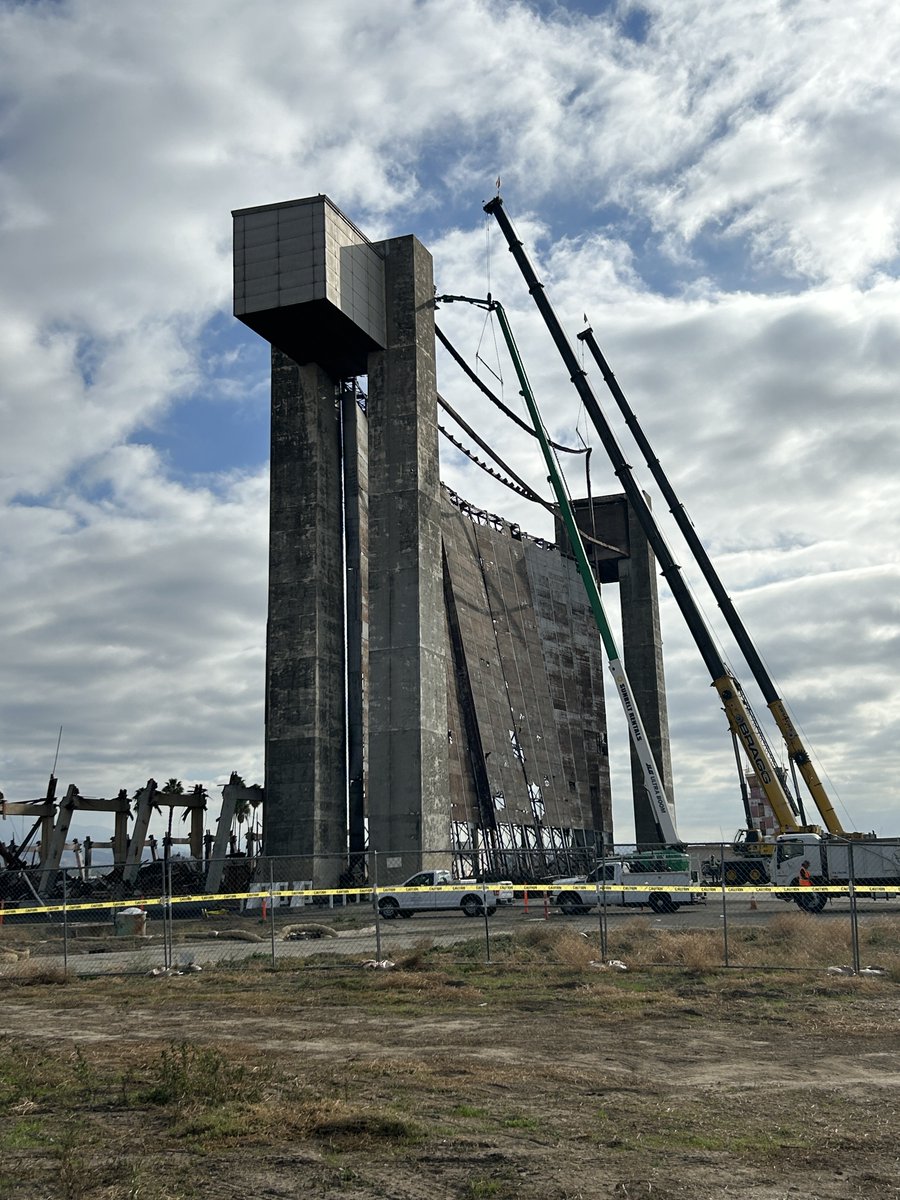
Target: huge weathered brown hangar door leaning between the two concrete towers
<point>533,670</point>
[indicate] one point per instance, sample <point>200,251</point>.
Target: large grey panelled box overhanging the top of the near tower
<point>308,281</point>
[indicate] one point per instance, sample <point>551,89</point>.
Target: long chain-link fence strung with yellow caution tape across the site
<point>705,909</point>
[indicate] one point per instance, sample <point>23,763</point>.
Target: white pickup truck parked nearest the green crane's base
<point>652,889</point>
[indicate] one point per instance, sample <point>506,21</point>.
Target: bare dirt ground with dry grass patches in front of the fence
<point>451,1084</point>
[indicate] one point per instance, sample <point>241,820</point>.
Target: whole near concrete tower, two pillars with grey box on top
<point>335,307</point>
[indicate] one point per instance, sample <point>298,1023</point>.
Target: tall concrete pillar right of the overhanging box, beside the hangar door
<point>409,803</point>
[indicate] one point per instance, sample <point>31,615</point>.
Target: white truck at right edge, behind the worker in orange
<point>872,865</point>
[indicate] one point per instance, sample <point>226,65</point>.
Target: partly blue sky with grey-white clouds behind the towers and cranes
<point>713,185</point>
